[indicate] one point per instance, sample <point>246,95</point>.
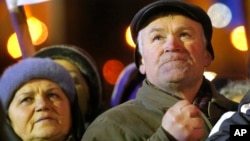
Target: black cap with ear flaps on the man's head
<point>194,12</point>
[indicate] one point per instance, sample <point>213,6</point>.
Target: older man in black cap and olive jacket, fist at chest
<point>175,102</point>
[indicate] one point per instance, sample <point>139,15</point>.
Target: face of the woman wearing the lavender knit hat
<point>40,110</point>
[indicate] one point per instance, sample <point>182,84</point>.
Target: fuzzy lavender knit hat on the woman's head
<point>34,68</point>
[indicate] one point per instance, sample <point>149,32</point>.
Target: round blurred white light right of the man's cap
<point>220,15</point>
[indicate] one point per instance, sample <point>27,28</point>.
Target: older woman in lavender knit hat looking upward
<point>40,102</point>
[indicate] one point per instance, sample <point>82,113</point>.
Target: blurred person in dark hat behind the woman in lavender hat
<point>84,72</point>
